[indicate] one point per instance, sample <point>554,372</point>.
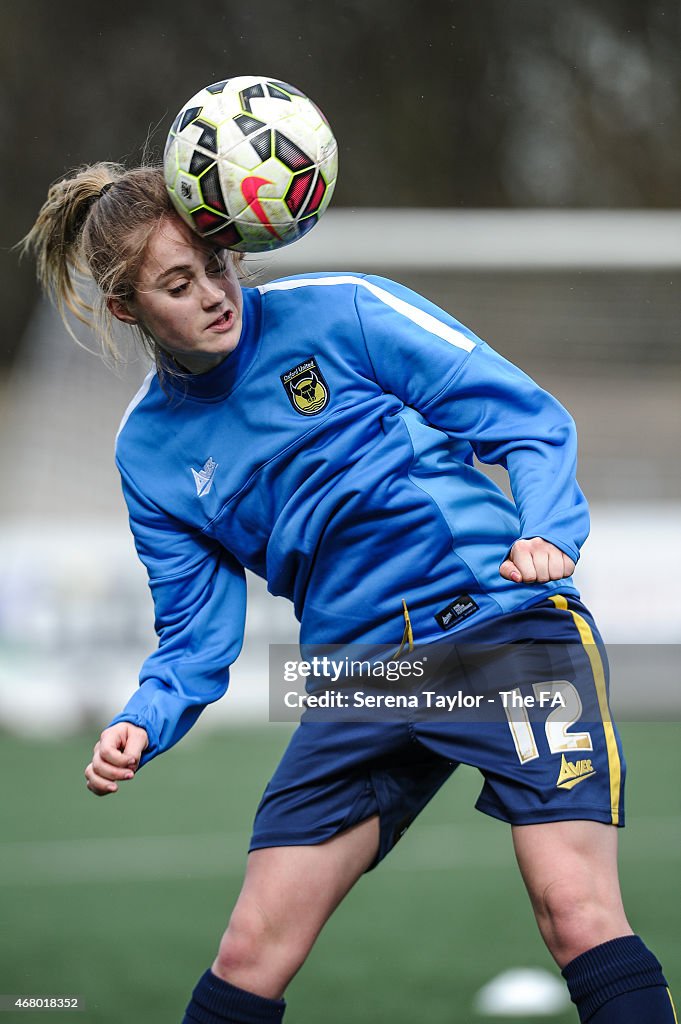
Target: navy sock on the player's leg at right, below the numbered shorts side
<point>620,983</point>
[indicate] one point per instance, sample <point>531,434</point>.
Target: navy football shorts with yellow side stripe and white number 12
<point>541,735</point>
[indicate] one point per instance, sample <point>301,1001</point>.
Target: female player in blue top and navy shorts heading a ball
<point>321,432</point>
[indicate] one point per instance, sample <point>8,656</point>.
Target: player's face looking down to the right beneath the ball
<point>189,298</point>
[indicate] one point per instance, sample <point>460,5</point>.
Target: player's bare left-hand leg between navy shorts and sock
<point>288,895</point>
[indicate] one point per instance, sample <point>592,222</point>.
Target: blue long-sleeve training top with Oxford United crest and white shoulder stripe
<point>332,453</point>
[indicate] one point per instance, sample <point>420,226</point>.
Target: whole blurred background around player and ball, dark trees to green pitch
<point>550,228</point>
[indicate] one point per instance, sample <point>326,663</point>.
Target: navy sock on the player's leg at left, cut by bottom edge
<point>217,1002</point>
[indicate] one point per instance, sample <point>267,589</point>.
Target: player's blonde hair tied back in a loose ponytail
<point>96,226</point>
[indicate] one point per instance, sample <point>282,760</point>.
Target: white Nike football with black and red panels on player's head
<point>251,163</point>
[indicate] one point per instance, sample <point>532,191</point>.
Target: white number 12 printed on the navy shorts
<point>558,723</point>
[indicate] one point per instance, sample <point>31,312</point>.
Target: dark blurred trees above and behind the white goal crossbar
<point>447,103</point>
